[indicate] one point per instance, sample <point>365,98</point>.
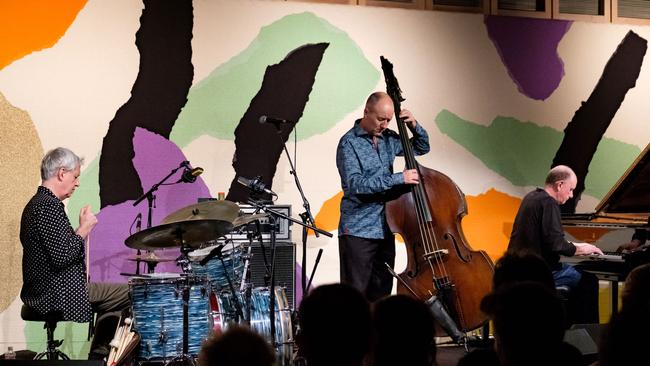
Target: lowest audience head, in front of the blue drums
<point>238,345</point>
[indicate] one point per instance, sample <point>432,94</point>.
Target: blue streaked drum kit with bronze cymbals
<point>173,313</point>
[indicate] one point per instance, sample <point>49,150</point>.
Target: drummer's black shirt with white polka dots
<point>54,273</point>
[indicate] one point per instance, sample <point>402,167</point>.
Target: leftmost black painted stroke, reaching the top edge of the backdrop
<point>158,94</point>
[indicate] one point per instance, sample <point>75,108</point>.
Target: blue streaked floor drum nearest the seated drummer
<point>157,302</point>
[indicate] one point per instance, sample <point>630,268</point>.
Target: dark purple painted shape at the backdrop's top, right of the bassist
<point>528,48</point>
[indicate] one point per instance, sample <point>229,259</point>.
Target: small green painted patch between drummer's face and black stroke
<point>87,193</point>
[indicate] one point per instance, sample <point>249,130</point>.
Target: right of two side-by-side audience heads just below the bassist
<point>404,332</point>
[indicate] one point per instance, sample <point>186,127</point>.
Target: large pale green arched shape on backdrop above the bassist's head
<point>344,79</point>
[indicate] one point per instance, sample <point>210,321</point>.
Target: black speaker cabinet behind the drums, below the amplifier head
<point>285,267</point>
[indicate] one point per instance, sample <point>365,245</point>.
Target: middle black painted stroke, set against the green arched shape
<point>283,94</point>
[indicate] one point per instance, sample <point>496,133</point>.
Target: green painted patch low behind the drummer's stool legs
<point>74,336</point>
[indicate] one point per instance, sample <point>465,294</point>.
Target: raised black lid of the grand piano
<point>630,196</point>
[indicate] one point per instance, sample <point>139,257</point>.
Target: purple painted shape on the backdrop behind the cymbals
<point>155,157</point>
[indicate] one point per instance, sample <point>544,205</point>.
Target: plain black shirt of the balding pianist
<point>538,229</point>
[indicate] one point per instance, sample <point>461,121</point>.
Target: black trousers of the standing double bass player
<point>363,264</point>
